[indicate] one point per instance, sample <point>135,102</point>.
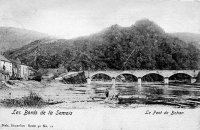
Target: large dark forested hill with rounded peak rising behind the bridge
<point>145,43</point>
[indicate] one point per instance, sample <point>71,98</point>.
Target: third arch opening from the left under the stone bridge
<point>152,77</point>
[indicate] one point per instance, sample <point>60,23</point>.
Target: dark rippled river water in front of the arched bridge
<point>180,95</point>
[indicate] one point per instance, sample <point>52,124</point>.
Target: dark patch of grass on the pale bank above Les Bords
<point>32,100</point>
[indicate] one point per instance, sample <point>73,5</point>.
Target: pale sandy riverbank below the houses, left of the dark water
<point>66,95</point>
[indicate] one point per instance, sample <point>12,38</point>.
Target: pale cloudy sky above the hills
<point>74,18</point>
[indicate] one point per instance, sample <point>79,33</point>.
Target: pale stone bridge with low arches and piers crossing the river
<point>166,74</point>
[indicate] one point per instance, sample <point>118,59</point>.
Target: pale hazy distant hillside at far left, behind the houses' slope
<point>12,38</point>
